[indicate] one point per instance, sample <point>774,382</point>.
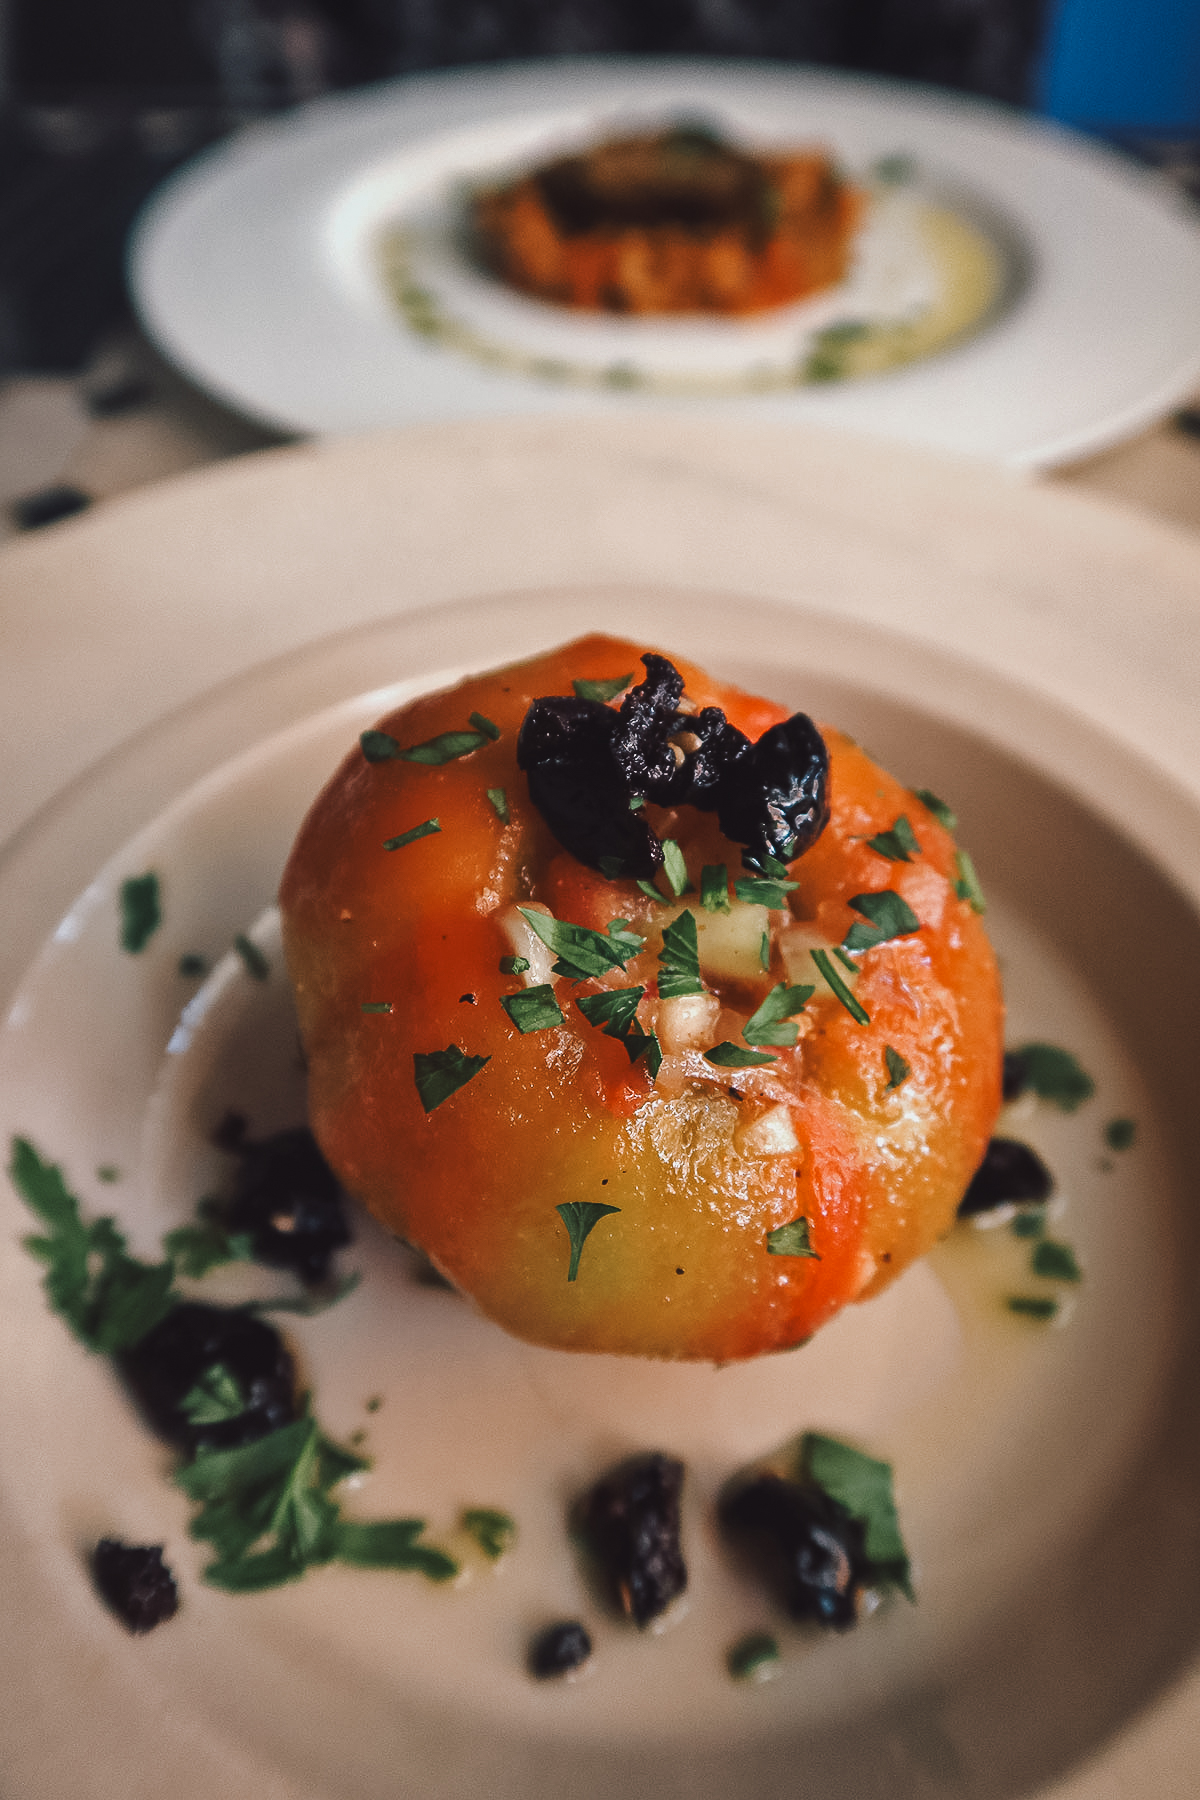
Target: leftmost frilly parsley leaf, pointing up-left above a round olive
<point>107,1297</point>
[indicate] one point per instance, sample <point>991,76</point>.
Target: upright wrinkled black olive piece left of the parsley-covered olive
<point>631,1522</point>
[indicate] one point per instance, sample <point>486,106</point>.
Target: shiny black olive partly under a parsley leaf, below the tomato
<point>805,1547</point>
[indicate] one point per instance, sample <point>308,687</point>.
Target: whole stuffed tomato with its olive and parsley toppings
<point>661,1021</point>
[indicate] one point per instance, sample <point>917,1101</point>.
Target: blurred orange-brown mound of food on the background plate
<point>672,222</point>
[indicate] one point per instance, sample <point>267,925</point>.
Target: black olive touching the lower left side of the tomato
<point>289,1203</point>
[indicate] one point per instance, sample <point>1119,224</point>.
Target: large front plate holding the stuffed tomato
<point>1034,1468</point>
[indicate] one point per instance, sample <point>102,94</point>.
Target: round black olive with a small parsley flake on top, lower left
<point>168,1363</point>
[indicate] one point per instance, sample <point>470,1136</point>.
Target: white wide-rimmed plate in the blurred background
<point>260,269</point>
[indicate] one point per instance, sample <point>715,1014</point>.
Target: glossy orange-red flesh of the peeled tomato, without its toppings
<point>681,1270</point>
